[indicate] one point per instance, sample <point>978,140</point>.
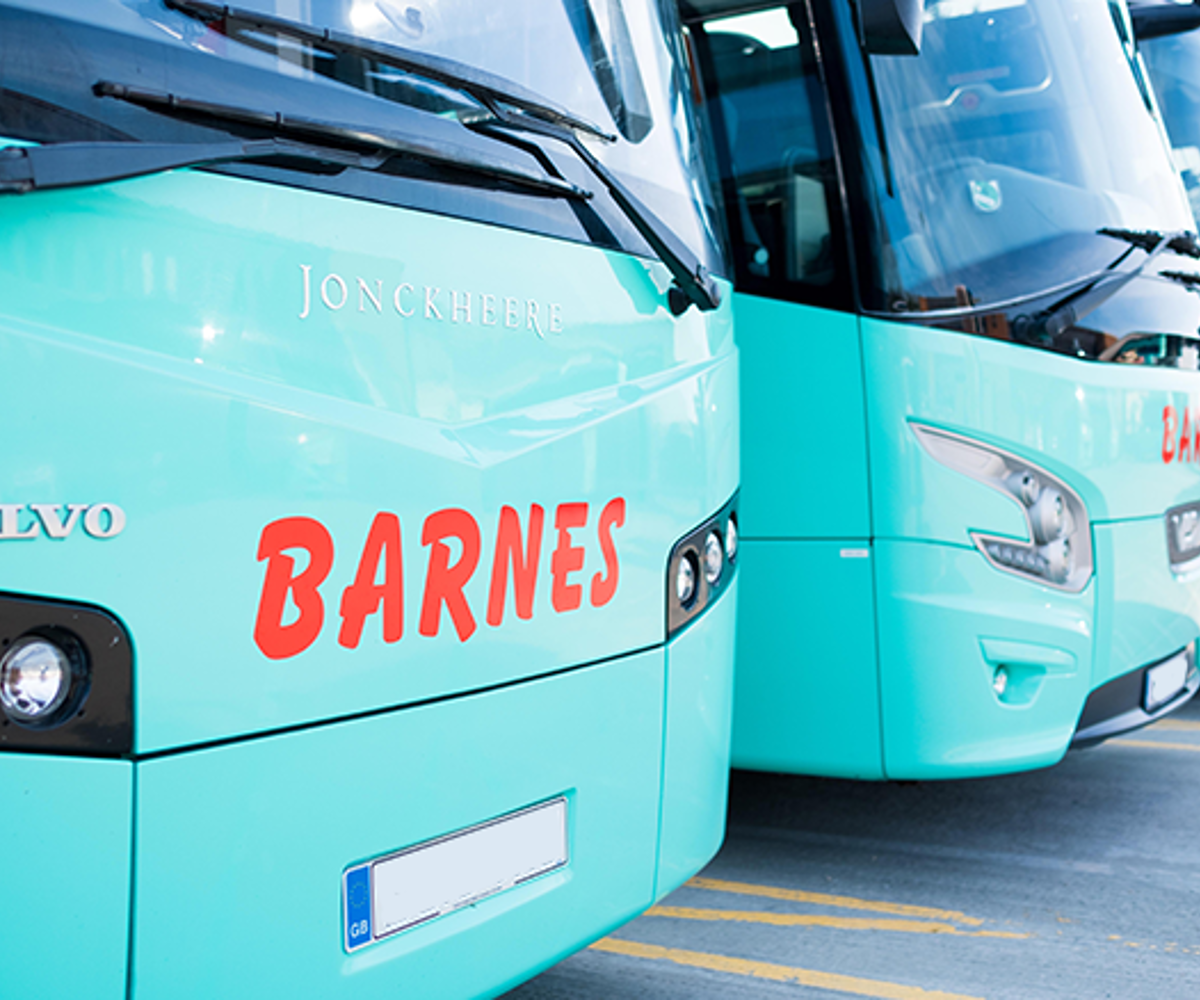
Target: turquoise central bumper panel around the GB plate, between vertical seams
<point>242,849</point>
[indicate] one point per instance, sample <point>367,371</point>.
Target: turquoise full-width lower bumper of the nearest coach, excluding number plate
<point>235,854</point>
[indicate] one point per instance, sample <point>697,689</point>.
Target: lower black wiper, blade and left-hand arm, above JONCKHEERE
<point>320,141</point>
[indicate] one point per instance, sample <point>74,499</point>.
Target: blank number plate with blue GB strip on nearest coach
<point>430,881</point>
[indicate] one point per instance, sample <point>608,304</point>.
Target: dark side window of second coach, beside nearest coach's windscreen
<point>767,106</point>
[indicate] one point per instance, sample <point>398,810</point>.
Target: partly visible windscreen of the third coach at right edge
<point>1174,64</point>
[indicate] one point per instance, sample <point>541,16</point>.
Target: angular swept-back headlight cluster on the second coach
<point>1059,552</point>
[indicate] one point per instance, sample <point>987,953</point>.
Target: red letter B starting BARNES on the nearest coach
<point>275,639</point>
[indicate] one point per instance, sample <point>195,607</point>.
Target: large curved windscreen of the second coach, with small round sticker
<point>1023,129</point>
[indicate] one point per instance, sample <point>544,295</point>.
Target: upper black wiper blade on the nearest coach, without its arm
<point>484,87</point>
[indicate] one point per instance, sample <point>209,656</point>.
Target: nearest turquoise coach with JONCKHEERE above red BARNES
<point>369,499</point>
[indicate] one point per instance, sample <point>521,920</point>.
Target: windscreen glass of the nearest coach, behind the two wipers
<point>604,61</point>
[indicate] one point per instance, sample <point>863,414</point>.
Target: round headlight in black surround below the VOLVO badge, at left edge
<point>41,680</point>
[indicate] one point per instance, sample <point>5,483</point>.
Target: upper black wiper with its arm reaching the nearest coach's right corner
<point>511,107</point>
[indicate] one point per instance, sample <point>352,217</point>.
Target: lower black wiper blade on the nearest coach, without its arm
<point>383,146</point>
